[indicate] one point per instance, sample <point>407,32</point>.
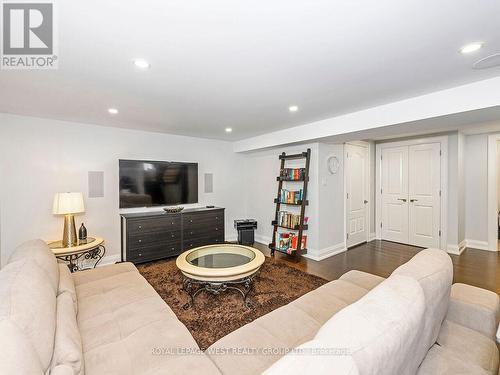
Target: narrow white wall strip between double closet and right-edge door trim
<point>476,188</point>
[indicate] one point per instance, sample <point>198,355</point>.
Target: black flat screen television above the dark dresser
<point>157,183</point>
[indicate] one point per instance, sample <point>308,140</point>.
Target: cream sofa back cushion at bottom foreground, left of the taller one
<point>382,330</point>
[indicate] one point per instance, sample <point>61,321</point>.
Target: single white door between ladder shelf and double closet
<point>357,194</point>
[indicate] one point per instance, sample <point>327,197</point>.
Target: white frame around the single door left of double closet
<point>369,205</point>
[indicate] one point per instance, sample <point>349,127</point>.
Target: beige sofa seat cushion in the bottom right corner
<point>469,346</point>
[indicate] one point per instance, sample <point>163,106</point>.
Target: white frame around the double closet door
<point>443,141</point>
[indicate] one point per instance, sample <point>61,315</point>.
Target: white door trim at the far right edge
<point>493,139</point>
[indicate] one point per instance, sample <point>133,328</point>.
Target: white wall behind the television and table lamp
<point>39,157</point>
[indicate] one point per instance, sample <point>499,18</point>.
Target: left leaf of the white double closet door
<point>394,191</point>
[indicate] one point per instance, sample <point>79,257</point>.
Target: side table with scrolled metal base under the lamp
<point>91,249</point>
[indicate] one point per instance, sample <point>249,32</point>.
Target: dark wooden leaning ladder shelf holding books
<point>302,203</point>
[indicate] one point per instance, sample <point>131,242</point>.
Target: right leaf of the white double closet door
<point>424,195</point>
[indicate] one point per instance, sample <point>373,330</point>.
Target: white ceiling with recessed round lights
<point>240,64</point>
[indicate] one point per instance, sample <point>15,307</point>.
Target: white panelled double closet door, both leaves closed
<point>410,194</point>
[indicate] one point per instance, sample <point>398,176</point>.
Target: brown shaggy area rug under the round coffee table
<point>213,317</point>
